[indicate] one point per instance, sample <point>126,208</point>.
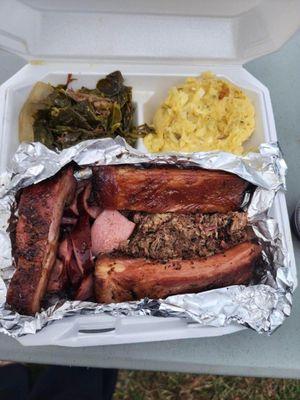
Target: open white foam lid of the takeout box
<point>231,31</point>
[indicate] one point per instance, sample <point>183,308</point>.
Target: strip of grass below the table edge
<point>142,385</point>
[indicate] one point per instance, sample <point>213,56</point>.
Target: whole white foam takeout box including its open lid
<point>155,44</point>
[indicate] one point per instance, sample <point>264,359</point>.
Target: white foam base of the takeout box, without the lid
<point>150,86</point>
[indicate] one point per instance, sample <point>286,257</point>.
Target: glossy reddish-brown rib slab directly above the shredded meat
<point>167,189</point>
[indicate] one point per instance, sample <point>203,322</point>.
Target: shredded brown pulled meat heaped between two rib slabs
<point>169,235</point>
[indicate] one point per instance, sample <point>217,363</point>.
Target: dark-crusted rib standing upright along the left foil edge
<point>40,212</point>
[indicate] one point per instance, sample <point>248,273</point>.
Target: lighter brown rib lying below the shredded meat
<point>124,279</point>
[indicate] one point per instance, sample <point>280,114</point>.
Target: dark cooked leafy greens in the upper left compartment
<point>65,116</point>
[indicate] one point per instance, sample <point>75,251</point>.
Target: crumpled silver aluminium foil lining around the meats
<point>262,307</point>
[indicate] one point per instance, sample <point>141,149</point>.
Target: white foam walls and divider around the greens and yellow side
<point>150,88</point>
